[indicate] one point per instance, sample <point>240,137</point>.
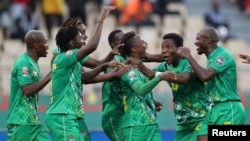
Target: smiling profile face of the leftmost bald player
<point>42,46</point>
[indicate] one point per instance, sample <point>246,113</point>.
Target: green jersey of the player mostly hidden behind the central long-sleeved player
<point>112,95</point>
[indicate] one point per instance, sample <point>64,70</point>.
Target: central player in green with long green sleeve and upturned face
<point>139,120</point>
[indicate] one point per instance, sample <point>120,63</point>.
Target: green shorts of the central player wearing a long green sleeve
<point>142,133</point>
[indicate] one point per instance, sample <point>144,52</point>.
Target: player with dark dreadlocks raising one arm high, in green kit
<point>65,109</point>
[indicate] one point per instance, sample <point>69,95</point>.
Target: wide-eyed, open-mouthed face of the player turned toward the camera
<point>169,51</point>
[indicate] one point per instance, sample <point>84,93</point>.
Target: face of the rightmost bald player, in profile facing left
<point>200,43</point>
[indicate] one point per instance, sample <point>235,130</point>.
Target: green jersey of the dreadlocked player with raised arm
<point>66,86</point>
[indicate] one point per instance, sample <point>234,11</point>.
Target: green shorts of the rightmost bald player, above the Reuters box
<point>226,113</point>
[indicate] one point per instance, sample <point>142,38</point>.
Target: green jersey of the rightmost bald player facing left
<point>223,87</point>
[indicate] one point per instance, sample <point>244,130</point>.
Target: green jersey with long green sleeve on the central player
<point>137,99</point>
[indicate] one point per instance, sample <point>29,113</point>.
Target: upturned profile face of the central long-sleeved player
<point>140,46</point>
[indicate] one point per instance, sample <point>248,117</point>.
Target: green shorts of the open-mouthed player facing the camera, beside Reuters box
<point>191,129</point>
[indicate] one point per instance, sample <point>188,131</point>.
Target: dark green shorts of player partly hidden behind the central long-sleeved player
<point>112,127</point>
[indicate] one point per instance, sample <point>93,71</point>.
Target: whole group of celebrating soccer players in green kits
<point>202,96</point>
